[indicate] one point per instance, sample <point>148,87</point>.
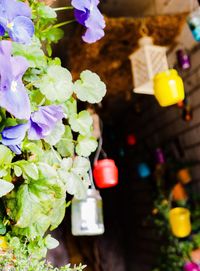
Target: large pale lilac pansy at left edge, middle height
<point>13,95</point>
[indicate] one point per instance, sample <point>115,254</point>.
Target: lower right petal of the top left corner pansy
<point>22,30</point>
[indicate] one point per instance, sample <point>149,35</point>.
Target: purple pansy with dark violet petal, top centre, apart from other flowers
<point>87,13</point>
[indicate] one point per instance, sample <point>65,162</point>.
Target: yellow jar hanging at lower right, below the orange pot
<point>180,222</point>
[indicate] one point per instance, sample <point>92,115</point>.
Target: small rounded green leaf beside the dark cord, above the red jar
<point>86,145</point>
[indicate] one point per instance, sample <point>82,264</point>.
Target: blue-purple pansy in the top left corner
<point>15,19</point>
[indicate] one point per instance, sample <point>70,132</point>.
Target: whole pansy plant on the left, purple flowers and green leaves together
<point>45,141</point>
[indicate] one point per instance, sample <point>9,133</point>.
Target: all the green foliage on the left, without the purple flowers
<point>34,185</point>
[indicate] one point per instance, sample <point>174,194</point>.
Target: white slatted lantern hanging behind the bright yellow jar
<point>146,62</point>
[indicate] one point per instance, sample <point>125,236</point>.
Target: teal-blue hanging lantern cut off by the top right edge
<point>194,23</point>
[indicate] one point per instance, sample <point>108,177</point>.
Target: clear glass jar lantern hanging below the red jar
<point>87,214</point>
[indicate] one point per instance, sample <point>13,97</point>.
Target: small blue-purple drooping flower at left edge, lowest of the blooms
<point>13,136</point>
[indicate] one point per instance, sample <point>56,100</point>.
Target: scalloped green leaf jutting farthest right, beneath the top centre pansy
<point>90,88</point>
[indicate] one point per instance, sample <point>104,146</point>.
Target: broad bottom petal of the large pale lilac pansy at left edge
<point>16,101</point>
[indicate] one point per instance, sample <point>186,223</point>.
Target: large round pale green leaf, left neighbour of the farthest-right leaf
<point>57,84</point>
